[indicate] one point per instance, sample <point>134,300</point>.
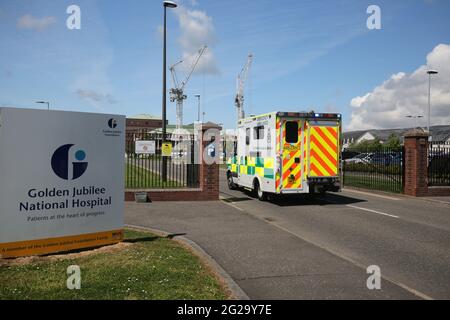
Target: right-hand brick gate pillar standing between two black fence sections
<point>416,163</point>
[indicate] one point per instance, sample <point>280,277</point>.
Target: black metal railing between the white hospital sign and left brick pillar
<point>144,162</point>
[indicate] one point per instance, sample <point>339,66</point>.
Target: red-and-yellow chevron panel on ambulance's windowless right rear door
<point>324,151</point>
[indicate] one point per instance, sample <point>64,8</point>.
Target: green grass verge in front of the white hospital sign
<point>143,267</point>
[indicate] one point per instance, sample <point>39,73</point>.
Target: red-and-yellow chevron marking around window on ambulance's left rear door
<point>292,171</point>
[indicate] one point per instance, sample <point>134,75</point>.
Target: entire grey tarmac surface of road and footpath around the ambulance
<point>316,248</point>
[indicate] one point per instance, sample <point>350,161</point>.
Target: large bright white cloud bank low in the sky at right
<point>406,94</point>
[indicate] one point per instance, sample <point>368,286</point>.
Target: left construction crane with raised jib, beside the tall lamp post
<point>177,93</point>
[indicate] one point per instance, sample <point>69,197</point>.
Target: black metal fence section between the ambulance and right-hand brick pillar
<point>377,169</point>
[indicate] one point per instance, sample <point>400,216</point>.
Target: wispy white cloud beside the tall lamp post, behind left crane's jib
<point>197,30</point>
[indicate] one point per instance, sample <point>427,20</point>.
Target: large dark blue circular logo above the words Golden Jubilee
<point>62,166</point>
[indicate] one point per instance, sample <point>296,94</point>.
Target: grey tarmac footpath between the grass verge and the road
<point>265,261</point>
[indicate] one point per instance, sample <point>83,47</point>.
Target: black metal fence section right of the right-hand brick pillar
<point>439,164</point>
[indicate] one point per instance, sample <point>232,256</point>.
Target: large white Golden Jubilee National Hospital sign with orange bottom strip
<point>61,181</point>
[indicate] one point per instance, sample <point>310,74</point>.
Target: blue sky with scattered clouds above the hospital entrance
<point>308,55</point>
